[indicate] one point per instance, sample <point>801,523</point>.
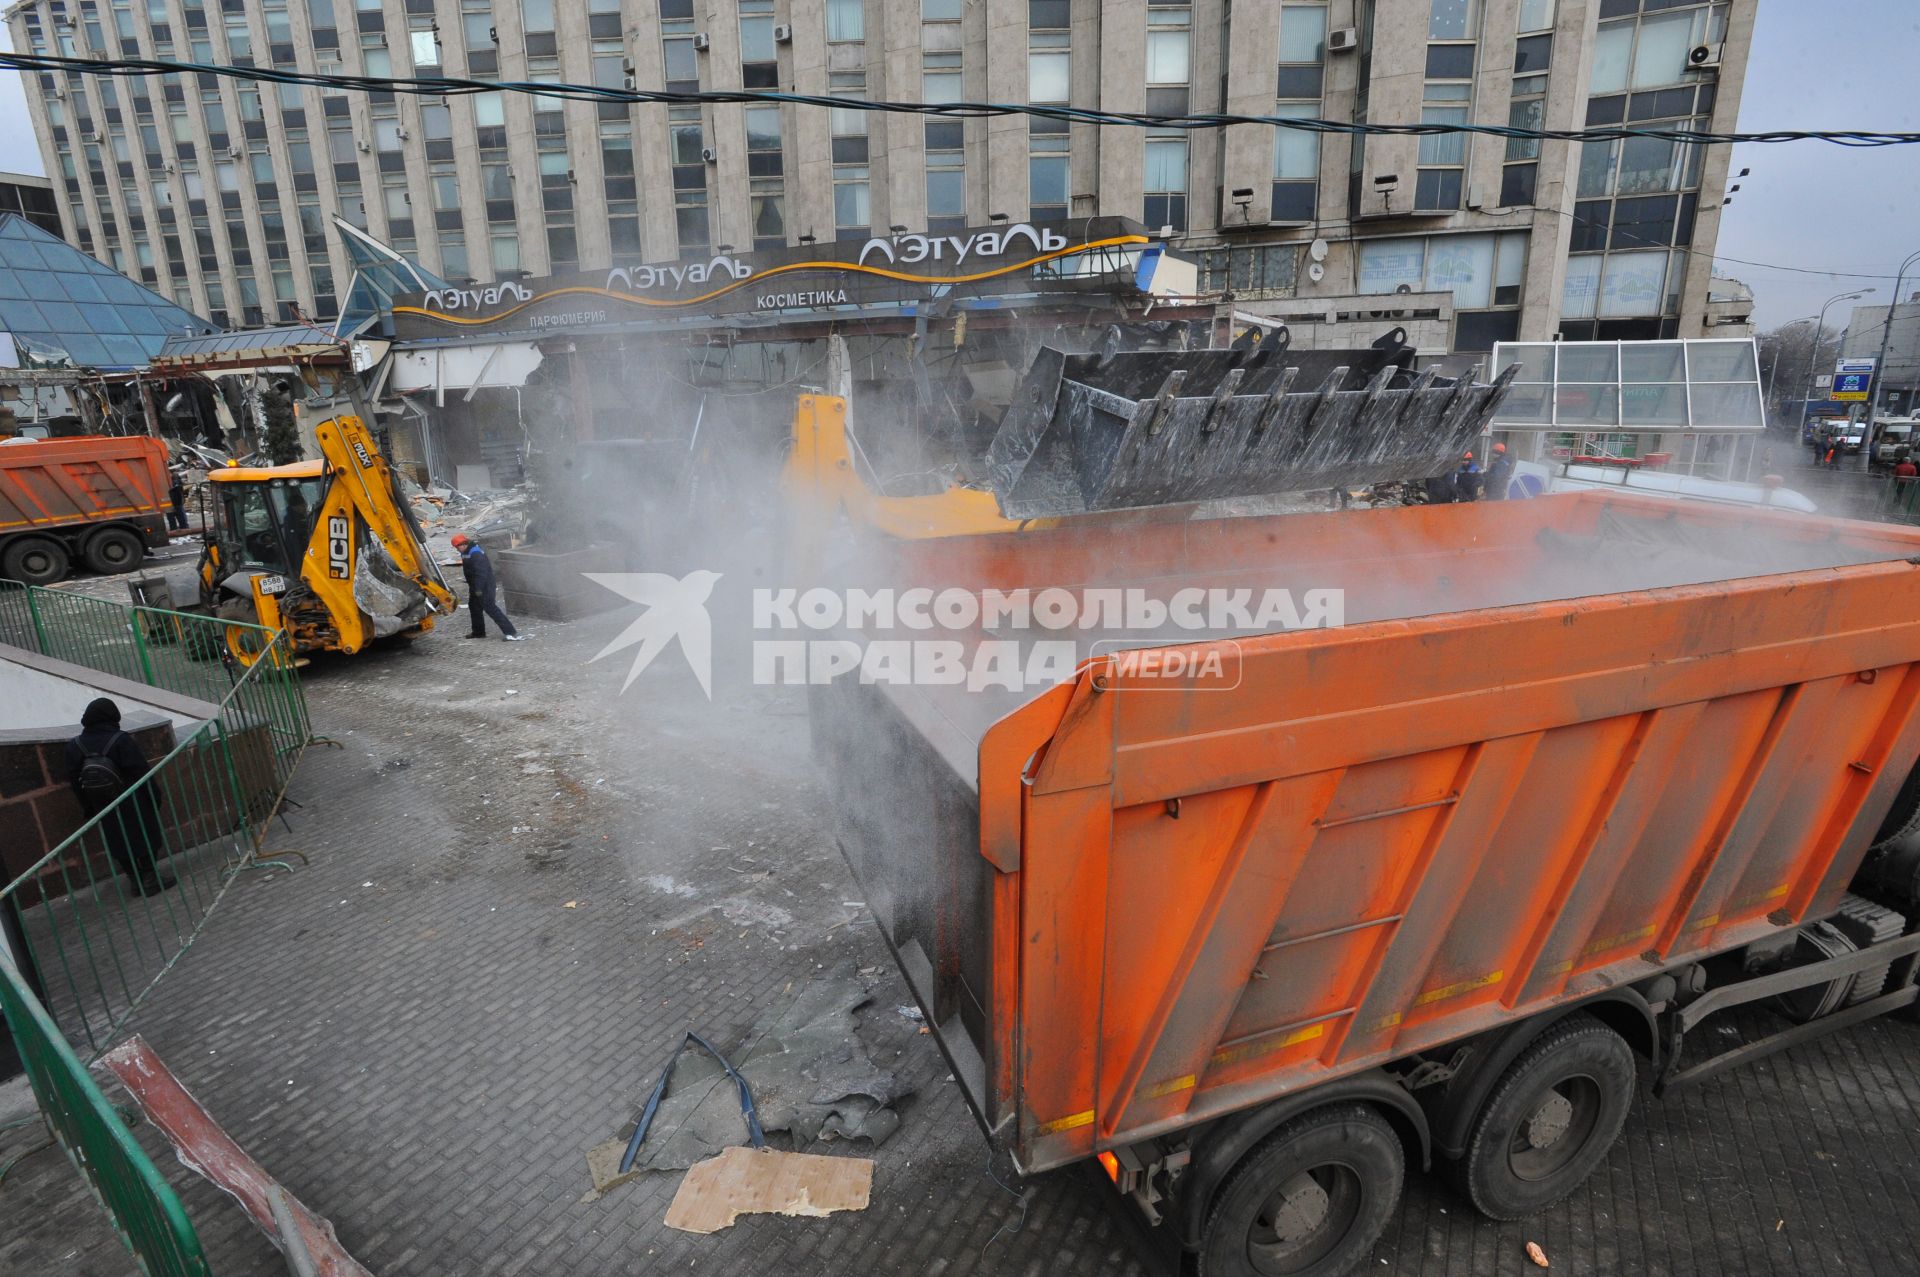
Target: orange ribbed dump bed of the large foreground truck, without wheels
<point>1558,746</point>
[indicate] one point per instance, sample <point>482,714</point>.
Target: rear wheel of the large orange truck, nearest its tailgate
<point>1308,1201</point>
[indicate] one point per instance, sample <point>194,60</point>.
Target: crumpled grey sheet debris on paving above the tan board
<point>809,1074</point>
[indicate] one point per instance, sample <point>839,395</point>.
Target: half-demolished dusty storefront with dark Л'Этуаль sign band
<point>681,360</point>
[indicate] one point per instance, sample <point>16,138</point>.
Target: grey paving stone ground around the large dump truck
<point>523,888</point>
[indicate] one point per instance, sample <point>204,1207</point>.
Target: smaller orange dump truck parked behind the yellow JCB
<point>91,500</point>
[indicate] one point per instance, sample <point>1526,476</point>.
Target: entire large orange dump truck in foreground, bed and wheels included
<point>1274,915</point>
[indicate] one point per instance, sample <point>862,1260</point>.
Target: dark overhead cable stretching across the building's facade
<point>446,85</point>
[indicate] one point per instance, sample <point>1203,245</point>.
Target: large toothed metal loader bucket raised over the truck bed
<point>1134,429</point>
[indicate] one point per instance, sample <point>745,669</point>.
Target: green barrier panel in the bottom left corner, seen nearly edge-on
<point>143,1207</point>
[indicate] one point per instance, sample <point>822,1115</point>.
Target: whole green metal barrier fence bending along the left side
<point>97,921</point>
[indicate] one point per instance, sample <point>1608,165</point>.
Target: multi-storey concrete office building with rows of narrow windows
<point>218,193</point>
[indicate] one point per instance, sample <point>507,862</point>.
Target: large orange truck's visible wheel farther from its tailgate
<point>1550,1120</point>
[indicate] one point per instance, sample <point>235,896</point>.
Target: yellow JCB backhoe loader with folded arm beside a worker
<point>325,550</point>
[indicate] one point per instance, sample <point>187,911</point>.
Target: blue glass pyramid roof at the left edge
<point>66,308</point>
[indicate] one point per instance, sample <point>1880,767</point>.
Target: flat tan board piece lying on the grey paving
<point>744,1182</point>
